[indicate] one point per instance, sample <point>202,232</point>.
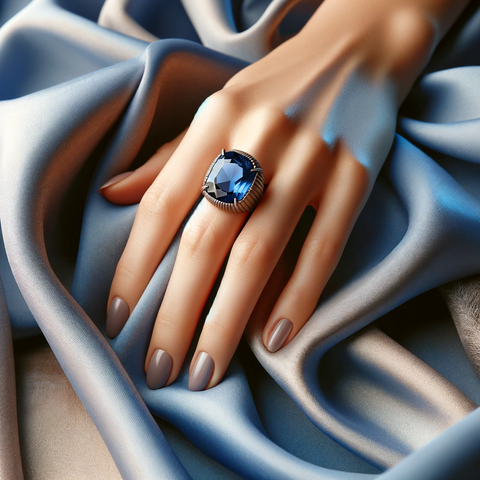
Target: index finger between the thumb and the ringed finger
<point>160,213</point>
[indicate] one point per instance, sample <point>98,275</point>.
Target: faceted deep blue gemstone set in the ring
<point>230,177</point>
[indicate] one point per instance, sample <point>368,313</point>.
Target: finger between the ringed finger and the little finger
<point>251,262</point>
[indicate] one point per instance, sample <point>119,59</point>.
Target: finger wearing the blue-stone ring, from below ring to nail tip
<point>204,244</point>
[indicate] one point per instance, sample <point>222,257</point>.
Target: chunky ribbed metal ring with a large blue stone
<point>234,182</point>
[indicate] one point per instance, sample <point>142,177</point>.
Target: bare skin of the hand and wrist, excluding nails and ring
<point>389,43</point>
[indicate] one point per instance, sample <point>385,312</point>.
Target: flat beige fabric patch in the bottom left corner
<point>57,436</point>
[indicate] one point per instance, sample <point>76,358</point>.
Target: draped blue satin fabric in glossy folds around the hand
<point>81,102</point>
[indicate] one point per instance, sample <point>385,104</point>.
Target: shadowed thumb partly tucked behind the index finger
<point>129,187</point>
